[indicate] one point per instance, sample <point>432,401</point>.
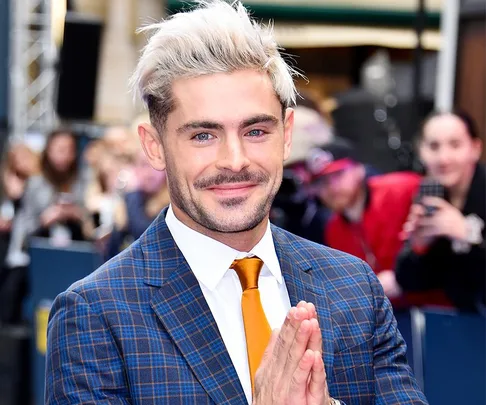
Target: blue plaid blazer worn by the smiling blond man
<point>139,331</point>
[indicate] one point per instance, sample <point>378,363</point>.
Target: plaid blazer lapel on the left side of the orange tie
<point>181,307</point>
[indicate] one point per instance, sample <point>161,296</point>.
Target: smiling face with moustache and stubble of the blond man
<point>223,148</point>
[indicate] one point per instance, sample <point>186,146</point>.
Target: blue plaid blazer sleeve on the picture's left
<point>83,363</point>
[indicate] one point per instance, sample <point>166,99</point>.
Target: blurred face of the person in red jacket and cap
<point>339,190</point>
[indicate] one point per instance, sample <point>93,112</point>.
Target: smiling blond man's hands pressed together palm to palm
<point>292,370</point>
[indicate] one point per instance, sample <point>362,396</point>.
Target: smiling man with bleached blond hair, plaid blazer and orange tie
<point>184,315</point>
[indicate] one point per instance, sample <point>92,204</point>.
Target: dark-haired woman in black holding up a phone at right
<point>446,247</point>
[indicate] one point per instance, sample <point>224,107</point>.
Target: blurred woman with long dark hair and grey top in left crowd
<point>51,207</point>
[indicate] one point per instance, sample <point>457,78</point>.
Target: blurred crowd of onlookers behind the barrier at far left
<point>101,191</point>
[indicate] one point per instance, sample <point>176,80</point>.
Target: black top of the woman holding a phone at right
<point>460,275</point>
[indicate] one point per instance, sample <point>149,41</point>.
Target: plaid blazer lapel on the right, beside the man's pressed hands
<point>297,269</point>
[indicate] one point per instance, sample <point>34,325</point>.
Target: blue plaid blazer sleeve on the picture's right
<point>395,383</point>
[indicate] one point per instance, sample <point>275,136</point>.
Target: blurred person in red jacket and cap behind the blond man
<point>369,212</point>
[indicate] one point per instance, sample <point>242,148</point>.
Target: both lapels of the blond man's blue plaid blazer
<point>197,337</point>
